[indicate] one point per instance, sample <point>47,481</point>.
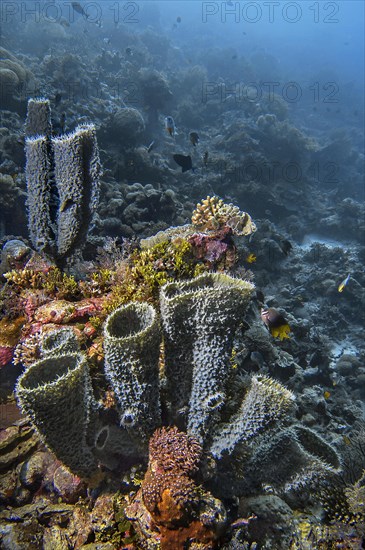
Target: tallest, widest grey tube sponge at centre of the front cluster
<point>199,319</point>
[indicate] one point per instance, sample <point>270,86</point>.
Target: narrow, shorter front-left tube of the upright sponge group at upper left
<point>38,171</point>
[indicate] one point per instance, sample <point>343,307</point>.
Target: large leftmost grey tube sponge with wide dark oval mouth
<point>56,394</point>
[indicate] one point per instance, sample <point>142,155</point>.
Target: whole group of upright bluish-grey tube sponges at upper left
<point>62,182</point>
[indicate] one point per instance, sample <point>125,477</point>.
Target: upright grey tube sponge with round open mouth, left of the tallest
<point>132,347</point>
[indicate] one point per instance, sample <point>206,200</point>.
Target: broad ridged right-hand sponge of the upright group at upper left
<point>77,172</point>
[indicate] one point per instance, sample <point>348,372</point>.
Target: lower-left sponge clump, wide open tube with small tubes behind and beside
<point>56,393</point>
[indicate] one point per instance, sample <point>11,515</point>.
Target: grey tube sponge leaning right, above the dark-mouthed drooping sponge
<point>265,403</point>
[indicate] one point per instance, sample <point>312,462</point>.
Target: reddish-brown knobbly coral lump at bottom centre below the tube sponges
<point>170,502</point>
